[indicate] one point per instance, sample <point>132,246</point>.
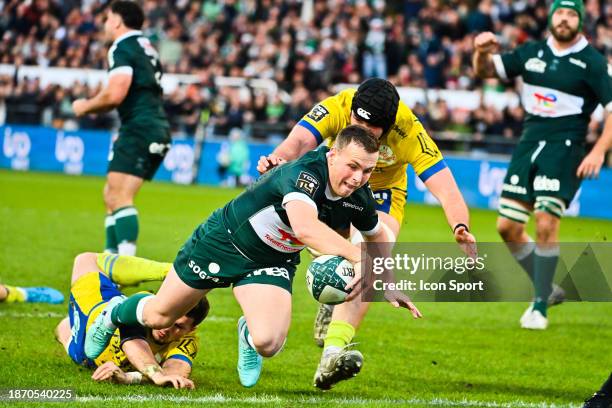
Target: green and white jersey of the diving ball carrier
<point>257,220</point>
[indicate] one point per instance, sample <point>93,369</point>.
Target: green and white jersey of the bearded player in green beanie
<point>561,89</point>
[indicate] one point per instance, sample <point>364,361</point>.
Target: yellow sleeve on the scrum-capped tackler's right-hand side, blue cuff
<point>415,146</point>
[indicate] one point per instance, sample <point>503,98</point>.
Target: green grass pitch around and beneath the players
<point>458,355</point>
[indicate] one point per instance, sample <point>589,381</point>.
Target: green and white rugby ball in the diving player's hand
<point>326,278</point>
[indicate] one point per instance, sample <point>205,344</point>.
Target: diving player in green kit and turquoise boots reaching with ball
<point>253,245</point>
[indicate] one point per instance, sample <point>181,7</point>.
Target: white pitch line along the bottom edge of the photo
<point>267,399</point>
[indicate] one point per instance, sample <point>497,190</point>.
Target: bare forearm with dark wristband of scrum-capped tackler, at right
<point>443,186</point>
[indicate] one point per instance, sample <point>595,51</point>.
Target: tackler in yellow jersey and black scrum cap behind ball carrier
<point>403,141</point>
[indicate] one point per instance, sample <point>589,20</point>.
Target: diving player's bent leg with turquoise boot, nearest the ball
<point>262,330</point>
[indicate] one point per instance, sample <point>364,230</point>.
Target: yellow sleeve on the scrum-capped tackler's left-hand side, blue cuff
<point>329,117</point>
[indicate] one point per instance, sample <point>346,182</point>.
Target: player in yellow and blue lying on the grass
<point>134,354</point>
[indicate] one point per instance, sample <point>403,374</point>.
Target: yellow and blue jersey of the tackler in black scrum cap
<point>406,143</point>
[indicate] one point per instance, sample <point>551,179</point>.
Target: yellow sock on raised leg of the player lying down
<point>130,271</point>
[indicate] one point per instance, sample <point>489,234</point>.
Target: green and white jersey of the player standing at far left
<point>133,54</point>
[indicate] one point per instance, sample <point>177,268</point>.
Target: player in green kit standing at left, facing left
<point>144,136</point>
